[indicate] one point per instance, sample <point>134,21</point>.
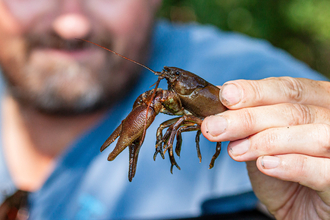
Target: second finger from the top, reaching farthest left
<point>237,124</point>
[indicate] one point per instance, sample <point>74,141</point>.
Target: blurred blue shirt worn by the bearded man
<point>84,185</point>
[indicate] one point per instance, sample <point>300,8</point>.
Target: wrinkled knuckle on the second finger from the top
<point>300,114</point>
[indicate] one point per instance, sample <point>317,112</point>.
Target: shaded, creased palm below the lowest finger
<point>284,199</point>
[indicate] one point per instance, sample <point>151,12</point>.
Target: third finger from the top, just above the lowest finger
<point>310,139</point>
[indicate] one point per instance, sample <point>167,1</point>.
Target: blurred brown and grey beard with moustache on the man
<point>58,85</point>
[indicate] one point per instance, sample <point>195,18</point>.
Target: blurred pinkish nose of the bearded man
<point>72,23</point>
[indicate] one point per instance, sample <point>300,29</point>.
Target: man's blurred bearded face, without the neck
<point>48,68</point>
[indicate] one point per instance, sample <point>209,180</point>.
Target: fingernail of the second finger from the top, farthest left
<point>215,125</point>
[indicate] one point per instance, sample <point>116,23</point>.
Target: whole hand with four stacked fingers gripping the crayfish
<point>281,128</point>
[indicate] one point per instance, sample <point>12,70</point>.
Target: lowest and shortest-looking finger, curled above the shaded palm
<point>308,171</point>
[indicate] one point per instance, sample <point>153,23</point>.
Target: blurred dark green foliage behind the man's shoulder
<point>301,27</point>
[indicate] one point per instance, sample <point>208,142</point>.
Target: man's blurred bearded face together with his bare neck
<point>58,87</point>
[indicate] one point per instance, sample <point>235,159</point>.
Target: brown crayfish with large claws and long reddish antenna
<point>188,96</point>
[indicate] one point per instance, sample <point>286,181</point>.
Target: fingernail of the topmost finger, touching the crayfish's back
<point>230,94</point>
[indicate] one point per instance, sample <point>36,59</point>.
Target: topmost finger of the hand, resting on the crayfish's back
<point>246,93</point>
